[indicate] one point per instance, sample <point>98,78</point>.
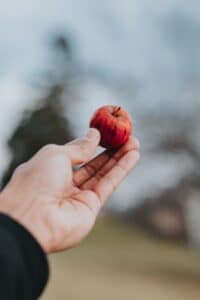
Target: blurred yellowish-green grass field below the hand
<point>117,262</point>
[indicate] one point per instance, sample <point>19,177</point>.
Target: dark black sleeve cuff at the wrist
<point>23,264</point>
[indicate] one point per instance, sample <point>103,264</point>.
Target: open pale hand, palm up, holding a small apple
<point>57,205</point>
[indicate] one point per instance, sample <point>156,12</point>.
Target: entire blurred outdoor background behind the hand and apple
<point>59,61</point>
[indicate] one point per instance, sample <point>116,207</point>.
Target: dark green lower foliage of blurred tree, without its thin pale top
<point>45,125</point>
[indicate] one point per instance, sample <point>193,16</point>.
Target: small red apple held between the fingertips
<point>114,124</point>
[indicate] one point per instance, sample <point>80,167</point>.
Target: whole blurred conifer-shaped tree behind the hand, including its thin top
<point>46,123</point>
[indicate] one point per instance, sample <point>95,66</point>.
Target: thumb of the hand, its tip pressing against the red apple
<point>81,150</point>
